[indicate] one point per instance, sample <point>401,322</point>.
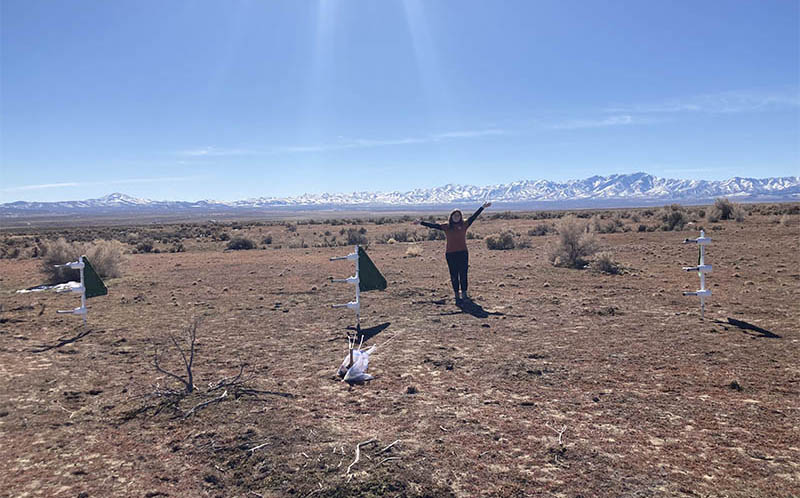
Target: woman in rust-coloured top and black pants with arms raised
<point>456,252</point>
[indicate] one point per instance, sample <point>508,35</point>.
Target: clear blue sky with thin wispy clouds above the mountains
<point>230,100</point>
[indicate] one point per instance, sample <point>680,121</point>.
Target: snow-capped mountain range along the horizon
<point>623,189</point>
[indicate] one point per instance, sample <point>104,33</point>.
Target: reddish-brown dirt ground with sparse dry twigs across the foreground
<point>558,382</point>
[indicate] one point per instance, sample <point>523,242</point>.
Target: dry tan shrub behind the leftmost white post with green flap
<point>105,256</point>
